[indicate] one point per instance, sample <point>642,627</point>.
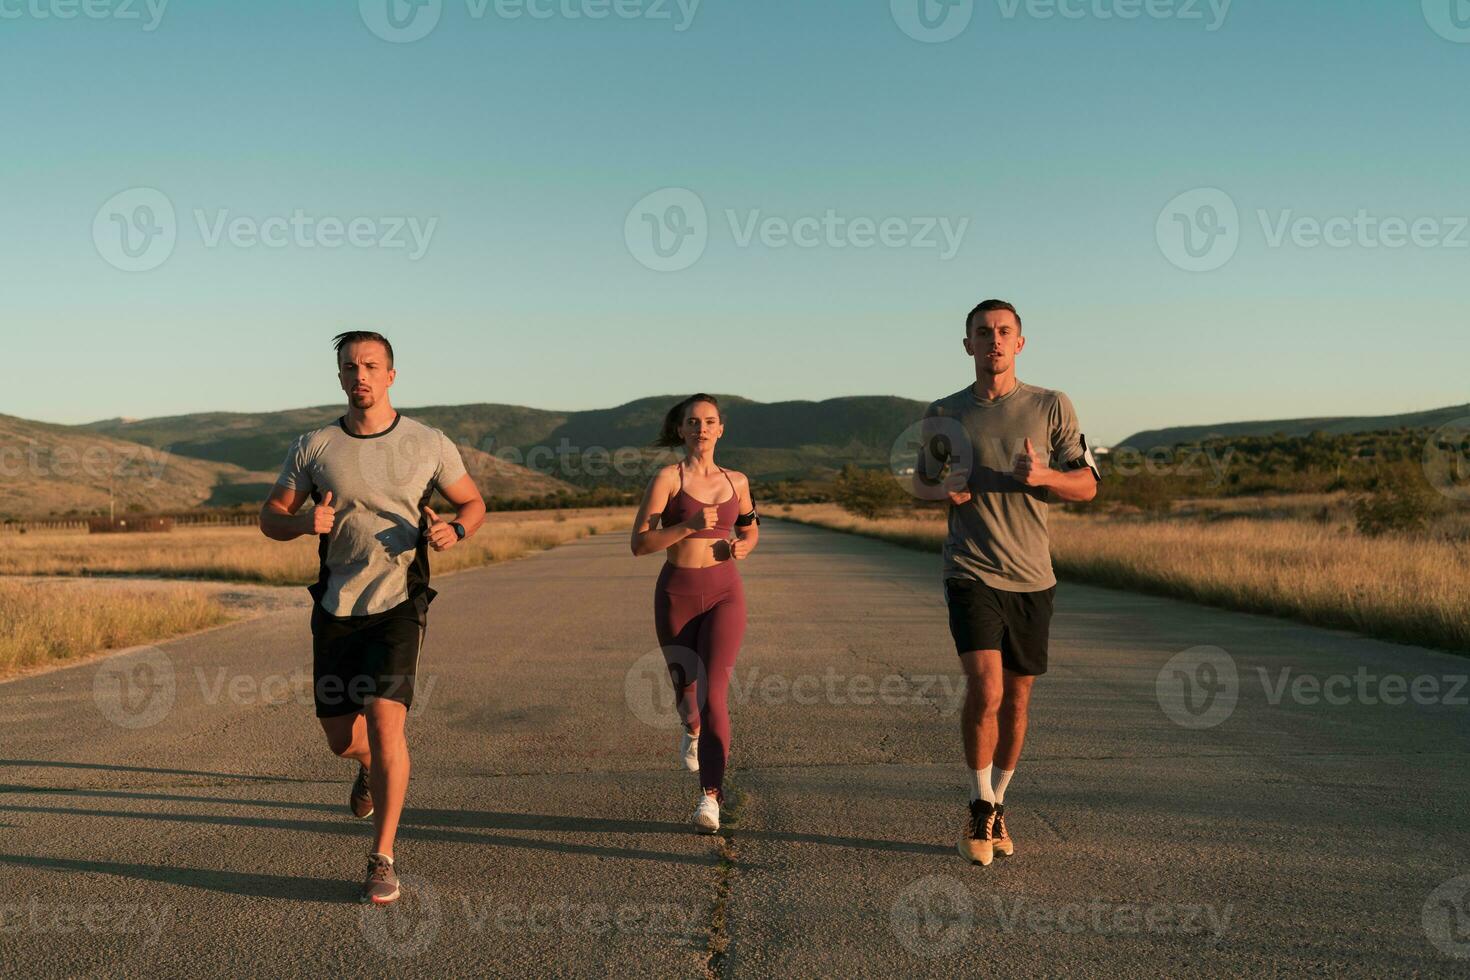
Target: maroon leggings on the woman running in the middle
<point>700,616</point>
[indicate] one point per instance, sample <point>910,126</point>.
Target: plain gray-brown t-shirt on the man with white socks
<point>1000,534</point>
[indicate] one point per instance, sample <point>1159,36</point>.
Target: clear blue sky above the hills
<point>1061,140</point>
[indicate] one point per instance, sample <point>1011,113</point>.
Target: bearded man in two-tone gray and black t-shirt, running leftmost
<point>371,475</point>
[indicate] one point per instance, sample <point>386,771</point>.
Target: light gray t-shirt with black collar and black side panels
<point>377,553</point>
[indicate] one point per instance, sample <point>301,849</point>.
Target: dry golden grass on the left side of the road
<point>45,621</point>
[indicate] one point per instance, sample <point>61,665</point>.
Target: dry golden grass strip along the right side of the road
<point>1402,588</point>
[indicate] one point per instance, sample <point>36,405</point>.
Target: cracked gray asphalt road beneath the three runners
<point>174,812</point>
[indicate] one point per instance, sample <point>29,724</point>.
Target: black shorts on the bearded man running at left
<point>356,659</point>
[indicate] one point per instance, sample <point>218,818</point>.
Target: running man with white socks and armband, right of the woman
<point>999,452</point>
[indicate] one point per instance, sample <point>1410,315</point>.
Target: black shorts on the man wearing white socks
<point>1017,624</point>
